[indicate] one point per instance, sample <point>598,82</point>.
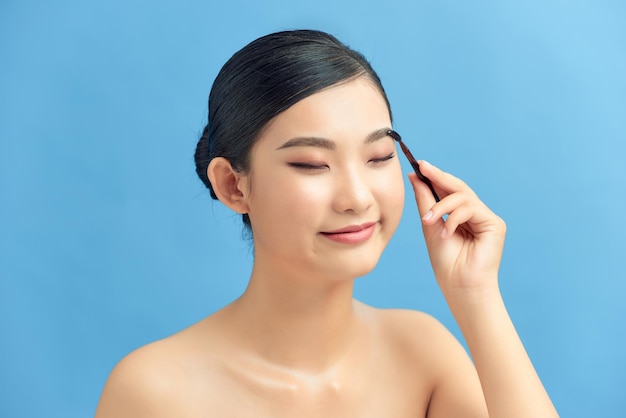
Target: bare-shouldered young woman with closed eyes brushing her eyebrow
<point>299,142</point>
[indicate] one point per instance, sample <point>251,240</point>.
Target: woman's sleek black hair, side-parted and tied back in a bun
<point>265,78</point>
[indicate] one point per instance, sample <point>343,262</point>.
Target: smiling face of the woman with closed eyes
<point>325,187</point>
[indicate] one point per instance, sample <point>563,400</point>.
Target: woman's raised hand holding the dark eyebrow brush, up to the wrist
<point>465,249</point>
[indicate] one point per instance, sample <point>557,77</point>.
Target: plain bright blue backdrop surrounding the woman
<point>109,241</point>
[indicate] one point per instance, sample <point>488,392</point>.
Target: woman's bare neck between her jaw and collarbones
<point>300,324</point>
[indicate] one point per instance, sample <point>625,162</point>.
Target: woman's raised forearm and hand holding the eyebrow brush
<point>465,252</point>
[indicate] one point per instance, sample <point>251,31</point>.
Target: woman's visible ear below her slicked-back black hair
<point>229,186</point>
